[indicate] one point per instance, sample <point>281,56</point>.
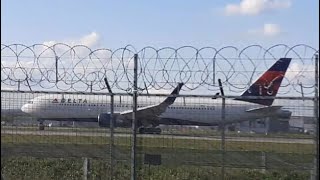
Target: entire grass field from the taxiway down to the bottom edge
<point>61,157</point>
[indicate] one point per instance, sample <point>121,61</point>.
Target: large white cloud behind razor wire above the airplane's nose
<point>45,59</point>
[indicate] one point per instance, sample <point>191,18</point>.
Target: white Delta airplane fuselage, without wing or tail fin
<point>67,108</point>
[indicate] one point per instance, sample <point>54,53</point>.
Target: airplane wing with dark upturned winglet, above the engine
<point>150,113</point>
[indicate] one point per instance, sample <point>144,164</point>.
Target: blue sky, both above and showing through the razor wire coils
<point>214,23</point>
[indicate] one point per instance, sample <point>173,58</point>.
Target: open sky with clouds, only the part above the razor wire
<point>114,24</point>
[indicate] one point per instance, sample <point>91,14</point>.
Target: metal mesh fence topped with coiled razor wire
<point>67,112</point>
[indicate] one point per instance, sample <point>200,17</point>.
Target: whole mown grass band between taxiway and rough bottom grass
<point>173,151</point>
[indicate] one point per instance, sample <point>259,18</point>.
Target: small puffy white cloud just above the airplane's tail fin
<point>268,30</point>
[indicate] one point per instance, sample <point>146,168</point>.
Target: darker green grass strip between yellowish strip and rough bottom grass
<point>170,156</point>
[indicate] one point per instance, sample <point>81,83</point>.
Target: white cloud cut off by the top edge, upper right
<point>255,7</point>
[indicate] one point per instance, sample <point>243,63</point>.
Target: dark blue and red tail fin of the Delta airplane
<point>268,84</point>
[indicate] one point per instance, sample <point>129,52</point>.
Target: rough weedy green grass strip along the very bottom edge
<point>71,168</point>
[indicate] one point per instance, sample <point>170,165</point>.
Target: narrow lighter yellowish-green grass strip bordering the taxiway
<point>163,142</point>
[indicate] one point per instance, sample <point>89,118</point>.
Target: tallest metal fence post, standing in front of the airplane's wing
<point>134,129</point>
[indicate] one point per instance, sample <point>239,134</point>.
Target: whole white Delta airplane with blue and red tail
<point>97,108</point>
